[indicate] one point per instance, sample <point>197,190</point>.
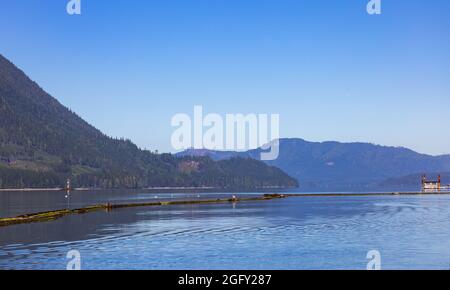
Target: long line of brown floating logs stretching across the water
<point>56,214</point>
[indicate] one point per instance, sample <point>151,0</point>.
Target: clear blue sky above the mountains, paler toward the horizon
<point>330,70</point>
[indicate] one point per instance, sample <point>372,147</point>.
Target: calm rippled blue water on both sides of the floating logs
<point>410,232</point>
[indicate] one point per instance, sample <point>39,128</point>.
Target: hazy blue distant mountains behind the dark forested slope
<point>345,166</point>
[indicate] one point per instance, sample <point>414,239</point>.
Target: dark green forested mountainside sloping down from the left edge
<point>42,143</point>
